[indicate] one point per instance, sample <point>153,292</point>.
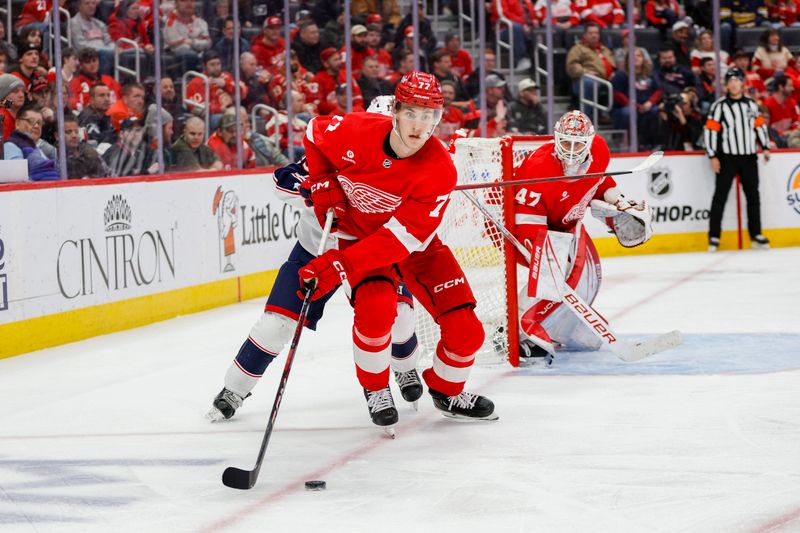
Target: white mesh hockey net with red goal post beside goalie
<point>485,256</point>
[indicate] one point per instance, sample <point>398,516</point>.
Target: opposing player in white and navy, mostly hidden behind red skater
<point>274,328</point>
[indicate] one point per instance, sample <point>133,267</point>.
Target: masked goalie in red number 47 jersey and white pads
<point>559,206</point>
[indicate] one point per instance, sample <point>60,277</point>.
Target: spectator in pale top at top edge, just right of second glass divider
<point>186,35</point>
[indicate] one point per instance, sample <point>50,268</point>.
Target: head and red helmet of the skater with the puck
<point>418,108</point>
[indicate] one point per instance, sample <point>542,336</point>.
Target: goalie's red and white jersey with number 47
<point>557,205</point>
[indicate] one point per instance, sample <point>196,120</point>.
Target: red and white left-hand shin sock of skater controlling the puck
<point>375,306</point>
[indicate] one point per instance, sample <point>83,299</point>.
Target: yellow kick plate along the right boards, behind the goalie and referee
<point>695,242</point>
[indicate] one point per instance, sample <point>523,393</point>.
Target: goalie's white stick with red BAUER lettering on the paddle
<point>598,325</point>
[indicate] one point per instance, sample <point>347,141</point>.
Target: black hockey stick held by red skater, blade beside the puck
<point>236,478</point>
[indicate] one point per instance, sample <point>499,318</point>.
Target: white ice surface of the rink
<point>108,435</point>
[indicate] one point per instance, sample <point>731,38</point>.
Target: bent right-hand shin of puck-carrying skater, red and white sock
<point>462,336</point>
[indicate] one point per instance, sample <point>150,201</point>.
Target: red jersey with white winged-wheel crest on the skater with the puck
<point>394,205</point>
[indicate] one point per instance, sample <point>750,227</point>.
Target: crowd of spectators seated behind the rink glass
<point>110,124</point>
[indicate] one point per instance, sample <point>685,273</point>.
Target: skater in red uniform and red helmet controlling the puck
<point>389,183</point>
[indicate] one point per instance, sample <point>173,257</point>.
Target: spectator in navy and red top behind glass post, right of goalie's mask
<point>648,96</point>
